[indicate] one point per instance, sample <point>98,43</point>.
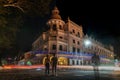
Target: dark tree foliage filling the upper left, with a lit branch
<point>12,17</point>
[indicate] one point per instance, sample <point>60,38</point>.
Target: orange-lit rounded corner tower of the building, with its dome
<point>56,31</point>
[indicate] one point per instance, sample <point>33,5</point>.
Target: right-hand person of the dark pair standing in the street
<point>54,61</point>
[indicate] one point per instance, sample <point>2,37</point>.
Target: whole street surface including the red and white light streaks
<point>64,73</point>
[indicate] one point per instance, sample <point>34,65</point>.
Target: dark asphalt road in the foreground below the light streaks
<point>62,74</point>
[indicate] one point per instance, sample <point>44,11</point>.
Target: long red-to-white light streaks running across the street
<point>62,67</point>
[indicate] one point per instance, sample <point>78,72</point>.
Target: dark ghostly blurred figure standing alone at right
<point>96,62</point>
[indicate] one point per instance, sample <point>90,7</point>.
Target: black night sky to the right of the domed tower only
<point>100,19</point>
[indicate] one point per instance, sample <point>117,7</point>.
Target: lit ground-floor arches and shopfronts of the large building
<point>68,59</point>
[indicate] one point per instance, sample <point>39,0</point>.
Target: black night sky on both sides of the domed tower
<point>100,20</point>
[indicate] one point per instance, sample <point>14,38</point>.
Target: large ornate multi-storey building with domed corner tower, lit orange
<point>66,39</point>
